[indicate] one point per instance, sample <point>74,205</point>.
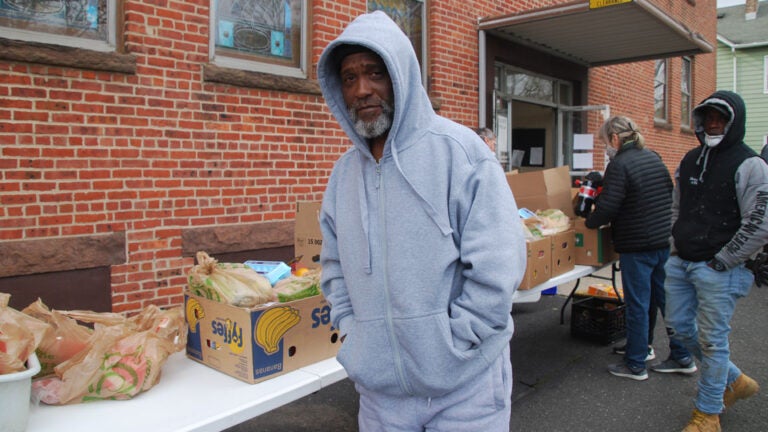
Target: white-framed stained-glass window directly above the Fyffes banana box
<point>269,36</point>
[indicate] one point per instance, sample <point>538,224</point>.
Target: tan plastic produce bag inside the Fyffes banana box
<point>233,283</point>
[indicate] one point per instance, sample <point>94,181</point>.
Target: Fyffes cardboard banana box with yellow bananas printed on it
<point>259,343</point>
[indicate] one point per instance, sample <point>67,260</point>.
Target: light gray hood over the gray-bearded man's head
<point>378,33</point>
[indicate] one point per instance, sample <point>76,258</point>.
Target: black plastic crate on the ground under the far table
<point>597,319</point>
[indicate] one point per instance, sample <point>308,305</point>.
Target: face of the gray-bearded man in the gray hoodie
<point>367,90</point>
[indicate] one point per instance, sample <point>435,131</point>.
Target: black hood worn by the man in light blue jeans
<point>732,106</point>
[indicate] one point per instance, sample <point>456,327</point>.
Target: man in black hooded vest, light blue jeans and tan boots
<point>719,222</point>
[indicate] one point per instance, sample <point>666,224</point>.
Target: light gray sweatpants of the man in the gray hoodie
<point>483,404</point>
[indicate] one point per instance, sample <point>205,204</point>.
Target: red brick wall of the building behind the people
<point>150,154</point>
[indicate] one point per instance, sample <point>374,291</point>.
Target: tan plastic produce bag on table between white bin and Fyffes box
<point>121,360</point>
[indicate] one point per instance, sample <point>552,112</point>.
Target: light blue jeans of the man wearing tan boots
<point>700,305</point>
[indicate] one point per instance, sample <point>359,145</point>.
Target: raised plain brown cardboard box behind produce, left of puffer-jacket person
<point>543,189</point>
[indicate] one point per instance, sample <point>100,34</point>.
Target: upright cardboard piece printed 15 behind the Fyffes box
<point>307,238</point>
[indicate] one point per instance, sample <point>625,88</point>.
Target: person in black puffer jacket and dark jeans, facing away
<point>637,201</point>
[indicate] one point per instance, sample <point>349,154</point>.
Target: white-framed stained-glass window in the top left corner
<point>23,24</point>
